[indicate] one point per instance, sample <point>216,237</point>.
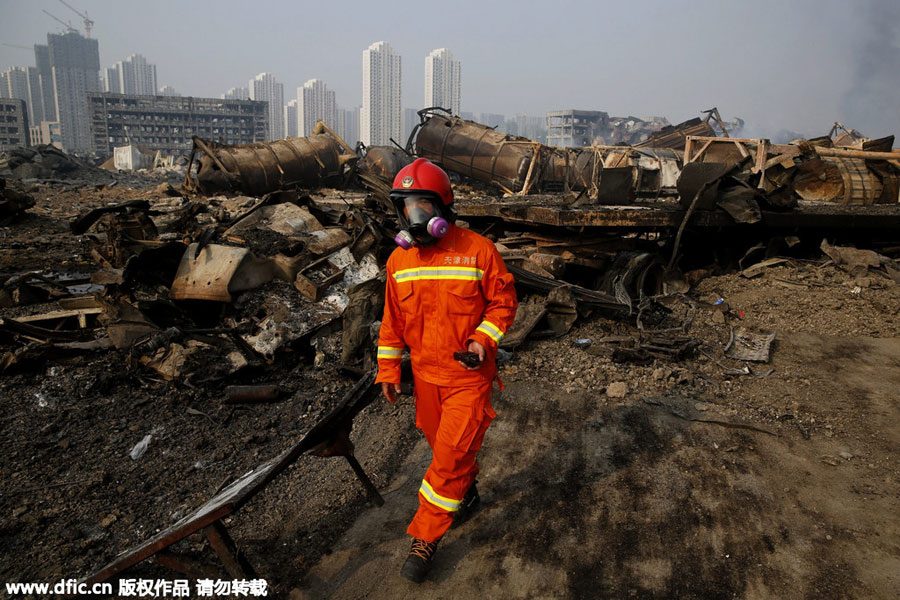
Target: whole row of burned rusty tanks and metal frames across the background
<point>609,175</point>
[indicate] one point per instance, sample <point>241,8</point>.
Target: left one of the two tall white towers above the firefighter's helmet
<point>380,116</point>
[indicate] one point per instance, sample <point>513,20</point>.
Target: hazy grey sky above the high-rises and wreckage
<point>794,64</point>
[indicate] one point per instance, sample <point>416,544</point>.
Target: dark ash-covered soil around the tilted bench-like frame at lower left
<point>73,498</point>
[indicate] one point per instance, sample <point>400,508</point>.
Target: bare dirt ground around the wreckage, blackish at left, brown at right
<point>689,479</point>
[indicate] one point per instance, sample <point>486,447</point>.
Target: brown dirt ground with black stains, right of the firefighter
<point>694,484</point>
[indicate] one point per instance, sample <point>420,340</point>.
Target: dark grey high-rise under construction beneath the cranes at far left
<point>75,64</point>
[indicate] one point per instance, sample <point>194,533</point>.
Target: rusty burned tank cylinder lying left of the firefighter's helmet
<point>262,167</point>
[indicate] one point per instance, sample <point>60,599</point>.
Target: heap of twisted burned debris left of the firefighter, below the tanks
<point>183,285</point>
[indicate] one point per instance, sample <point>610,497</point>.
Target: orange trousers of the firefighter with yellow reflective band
<point>454,421</point>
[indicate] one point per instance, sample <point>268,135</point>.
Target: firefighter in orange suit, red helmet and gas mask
<point>448,290</point>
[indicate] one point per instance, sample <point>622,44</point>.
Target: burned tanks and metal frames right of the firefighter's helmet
<point>617,175</point>
